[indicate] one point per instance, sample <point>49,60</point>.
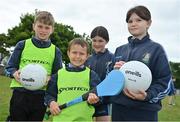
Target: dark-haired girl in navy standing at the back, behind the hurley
<point>101,61</point>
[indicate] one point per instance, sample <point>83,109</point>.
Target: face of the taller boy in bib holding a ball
<point>42,31</point>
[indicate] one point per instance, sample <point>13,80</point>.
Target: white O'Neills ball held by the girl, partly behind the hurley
<point>137,76</point>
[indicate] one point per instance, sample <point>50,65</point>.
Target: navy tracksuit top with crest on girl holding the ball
<point>154,56</point>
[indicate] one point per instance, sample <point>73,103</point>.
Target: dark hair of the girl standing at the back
<point>100,31</point>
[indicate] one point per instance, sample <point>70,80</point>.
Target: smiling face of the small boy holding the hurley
<point>77,55</point>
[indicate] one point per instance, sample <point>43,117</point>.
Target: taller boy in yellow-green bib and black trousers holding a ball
<point>26,105</point>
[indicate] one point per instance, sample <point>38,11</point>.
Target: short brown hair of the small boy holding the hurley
<point>79,41</point>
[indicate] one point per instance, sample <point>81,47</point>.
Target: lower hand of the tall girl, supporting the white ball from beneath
<point>141,95</point>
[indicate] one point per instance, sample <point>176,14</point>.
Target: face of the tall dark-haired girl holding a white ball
<point>137,26</point>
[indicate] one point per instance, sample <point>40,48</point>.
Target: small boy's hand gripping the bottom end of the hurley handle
<point>54,108</point>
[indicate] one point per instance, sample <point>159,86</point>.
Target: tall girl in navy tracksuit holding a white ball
<point>142,106</point>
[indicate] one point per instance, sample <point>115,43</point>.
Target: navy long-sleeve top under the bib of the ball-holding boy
<point>14,60</point>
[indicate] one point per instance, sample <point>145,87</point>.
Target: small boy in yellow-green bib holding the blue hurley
<point>72,82</point>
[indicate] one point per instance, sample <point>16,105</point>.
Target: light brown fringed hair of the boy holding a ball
<point>44,17</point>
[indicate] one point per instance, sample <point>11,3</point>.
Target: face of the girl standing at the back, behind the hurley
<point>98,44</point>
